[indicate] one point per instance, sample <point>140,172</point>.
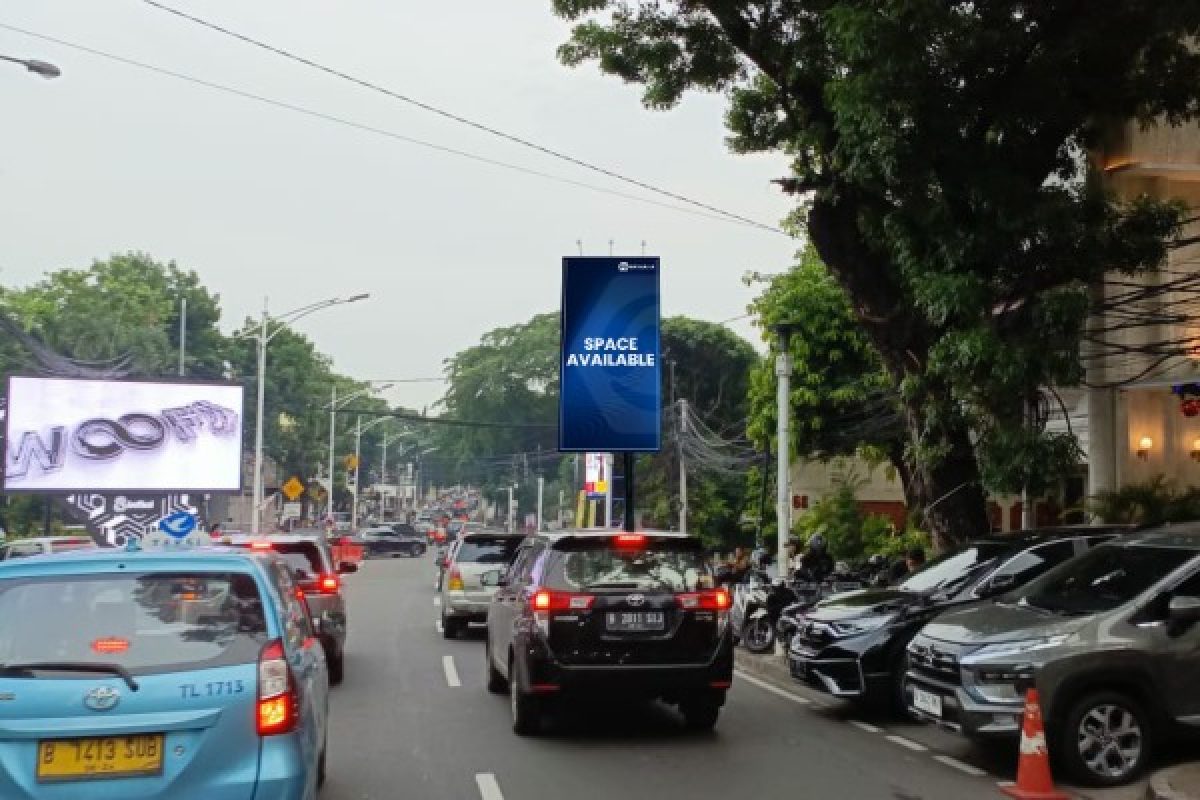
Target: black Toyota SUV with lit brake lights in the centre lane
<point>634,615</point>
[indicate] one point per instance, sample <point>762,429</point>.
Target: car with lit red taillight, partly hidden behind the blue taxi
<point>316,574</point>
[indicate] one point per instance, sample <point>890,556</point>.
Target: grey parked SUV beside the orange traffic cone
<point>1112,642</point>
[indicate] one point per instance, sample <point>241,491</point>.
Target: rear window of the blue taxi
<point>147,623</point>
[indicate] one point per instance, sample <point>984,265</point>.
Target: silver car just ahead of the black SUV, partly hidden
<point>465,599</point>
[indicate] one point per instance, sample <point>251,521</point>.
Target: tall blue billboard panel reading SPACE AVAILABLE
<point>611,388</point>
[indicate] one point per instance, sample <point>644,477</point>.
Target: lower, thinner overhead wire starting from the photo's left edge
<point>361,127</point>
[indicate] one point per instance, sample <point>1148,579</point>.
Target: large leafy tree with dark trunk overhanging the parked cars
<point>938,157</point>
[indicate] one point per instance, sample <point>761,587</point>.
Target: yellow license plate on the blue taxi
<point>75,760</point>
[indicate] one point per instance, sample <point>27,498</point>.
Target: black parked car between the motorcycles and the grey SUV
<point>853,646</point>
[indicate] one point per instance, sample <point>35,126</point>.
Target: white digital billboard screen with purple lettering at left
<point>70,435</point>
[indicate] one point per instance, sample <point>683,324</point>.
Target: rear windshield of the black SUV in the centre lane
<point>656,568</point>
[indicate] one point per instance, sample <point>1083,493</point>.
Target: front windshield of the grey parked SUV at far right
<point>1105,578</point>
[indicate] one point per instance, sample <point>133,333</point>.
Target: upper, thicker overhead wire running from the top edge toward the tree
<point>463,121</point>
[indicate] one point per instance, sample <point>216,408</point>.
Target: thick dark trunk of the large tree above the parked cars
<point>943,482</point>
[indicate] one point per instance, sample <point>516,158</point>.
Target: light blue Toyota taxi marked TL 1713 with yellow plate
<point>183,676</point>
